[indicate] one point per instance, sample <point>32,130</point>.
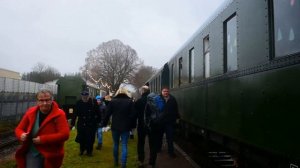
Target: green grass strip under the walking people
<point>101,158</point>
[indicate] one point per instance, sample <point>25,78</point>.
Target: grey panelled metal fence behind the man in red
<point>16,96</point>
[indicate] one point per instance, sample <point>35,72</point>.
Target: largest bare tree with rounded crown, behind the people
<point>110,64</point>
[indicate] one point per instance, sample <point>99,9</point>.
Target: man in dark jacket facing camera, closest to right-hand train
<point>170,109</point>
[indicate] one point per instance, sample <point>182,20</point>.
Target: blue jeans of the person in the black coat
<point>116,135</point>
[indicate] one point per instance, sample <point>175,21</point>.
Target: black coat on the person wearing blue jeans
<point>121,108</point>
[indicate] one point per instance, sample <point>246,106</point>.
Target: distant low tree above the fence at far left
<point>41,73</point>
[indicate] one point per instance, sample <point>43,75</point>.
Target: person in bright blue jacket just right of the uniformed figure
<point>102,107</point>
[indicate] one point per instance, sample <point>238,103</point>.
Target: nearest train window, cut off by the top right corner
<point>286,27</point>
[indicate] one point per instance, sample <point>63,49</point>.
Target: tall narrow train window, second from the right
<point>231,44</point>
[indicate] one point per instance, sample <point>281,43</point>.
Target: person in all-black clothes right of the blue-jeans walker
<point>140,105</point>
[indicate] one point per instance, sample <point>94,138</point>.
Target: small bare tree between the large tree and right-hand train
<point>142,75</point>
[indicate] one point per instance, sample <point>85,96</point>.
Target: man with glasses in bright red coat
<point>42,131</point>
